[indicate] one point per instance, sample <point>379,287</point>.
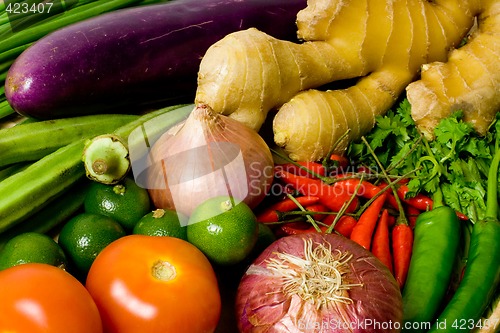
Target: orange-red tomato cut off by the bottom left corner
<point>43,298</point>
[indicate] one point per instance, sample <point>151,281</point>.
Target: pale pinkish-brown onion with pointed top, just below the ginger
<point>209,155</point>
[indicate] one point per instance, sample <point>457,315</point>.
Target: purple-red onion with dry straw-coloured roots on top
<point>318,283</point>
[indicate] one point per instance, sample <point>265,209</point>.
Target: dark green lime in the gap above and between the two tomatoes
<point>84,236</point>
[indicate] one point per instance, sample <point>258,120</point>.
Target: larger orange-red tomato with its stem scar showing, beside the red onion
<point>154,284</point>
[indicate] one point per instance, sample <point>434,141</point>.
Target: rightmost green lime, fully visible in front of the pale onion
<point>223,230</point>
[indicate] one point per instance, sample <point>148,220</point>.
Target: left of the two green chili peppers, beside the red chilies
<point>436,242</point>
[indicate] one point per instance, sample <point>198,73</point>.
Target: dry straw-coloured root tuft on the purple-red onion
<point>317,277</point>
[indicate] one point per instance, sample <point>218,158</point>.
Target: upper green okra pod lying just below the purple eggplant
<point>33,141</point>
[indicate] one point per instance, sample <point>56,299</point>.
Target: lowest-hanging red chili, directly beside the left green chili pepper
<point>402,244</point>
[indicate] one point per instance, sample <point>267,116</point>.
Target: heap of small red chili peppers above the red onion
<point>339,200</point>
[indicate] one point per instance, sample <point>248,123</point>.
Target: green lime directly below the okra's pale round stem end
<point>125,202</point>
